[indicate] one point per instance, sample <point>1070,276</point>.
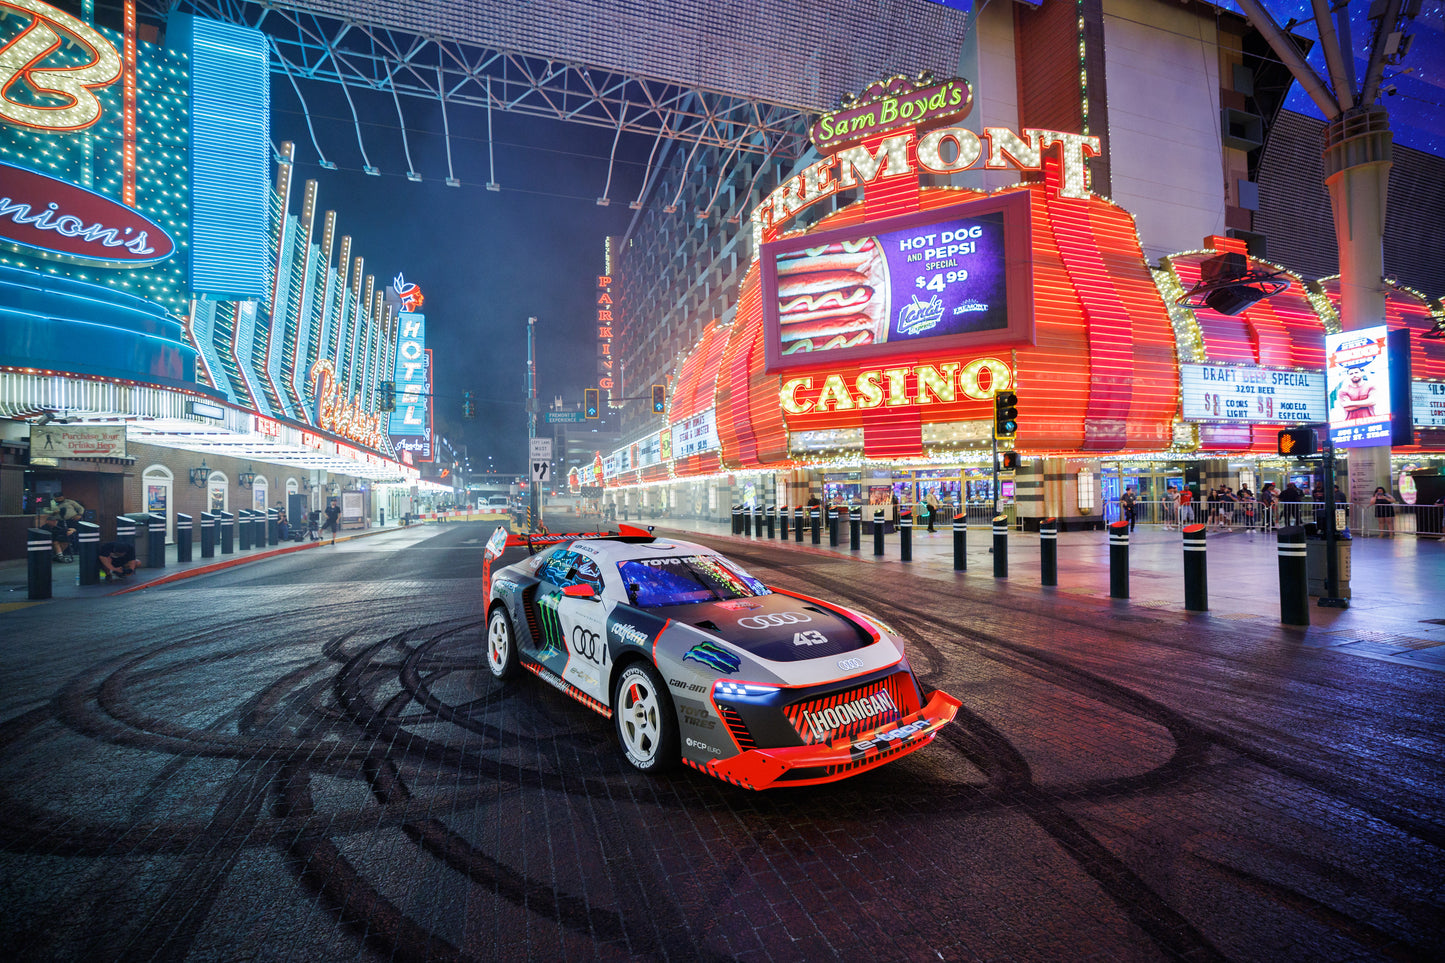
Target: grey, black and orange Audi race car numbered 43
<point>694,660</point>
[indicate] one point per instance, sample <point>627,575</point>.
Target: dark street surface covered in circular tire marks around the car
<point>307,760</point>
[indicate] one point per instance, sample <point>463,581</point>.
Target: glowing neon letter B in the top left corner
<point>66,95</point>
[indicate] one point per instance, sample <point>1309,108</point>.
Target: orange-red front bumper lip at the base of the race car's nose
<point>829,763</point>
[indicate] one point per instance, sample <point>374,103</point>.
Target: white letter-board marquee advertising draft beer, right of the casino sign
<point>1255,395</point>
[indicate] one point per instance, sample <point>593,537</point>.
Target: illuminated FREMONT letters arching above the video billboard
<point>856,167</point>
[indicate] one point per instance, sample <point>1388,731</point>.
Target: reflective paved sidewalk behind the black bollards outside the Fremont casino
<point>1397,585</point>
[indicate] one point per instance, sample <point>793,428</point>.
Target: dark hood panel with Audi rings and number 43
<point>777,628</point>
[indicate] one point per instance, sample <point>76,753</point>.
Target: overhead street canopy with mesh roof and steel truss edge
<point>733,74</point>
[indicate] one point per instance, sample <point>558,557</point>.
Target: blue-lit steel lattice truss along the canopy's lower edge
<point>453,73</point>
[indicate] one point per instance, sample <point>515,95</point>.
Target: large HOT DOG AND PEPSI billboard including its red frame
<point>947,278</point>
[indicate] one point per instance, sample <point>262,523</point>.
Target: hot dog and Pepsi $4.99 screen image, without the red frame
<point>921,283</point>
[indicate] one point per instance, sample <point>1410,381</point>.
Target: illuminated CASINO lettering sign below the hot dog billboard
<point>941,384</point>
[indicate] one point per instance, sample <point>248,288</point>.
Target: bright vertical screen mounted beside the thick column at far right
<point>1359,377</point>
